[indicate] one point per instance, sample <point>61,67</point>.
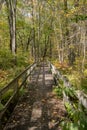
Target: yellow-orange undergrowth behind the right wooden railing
<point>74,74</point>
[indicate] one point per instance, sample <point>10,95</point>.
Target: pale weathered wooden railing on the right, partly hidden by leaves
<point>82,98</point>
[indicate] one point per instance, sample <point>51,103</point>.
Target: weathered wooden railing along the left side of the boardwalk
<point>15,85</point>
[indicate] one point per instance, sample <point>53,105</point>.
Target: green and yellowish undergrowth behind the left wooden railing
<point>9,69</point>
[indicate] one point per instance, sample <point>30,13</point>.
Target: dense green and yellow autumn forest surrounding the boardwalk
<point>45,30</point>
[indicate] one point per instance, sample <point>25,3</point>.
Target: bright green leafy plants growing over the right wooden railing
<point>76,115</point>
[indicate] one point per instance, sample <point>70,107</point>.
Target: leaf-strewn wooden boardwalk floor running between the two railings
<point>38,108</point>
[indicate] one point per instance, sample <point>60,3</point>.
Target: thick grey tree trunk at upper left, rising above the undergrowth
<point>11,7</point>
